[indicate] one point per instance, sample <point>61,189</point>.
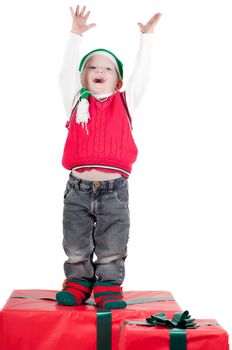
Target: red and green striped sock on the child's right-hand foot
<point>108,295</point>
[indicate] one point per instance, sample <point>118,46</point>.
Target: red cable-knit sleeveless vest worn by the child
<point>109,143</point>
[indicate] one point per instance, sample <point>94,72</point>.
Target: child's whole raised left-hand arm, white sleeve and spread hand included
<point>69,77</point>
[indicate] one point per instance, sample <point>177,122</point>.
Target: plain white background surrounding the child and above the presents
<point>180,188</point>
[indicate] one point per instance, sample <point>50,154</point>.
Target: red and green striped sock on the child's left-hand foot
<point>74,292</point>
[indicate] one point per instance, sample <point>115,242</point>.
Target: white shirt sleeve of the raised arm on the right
<point>137,82</point>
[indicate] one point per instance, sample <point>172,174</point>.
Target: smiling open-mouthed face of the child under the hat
<point>99,75</point>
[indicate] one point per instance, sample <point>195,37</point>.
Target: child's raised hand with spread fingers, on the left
<point>79,25</point>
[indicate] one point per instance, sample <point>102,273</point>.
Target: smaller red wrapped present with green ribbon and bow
<point>160,333</point>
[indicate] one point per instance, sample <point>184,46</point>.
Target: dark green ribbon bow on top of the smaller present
<point>180,320</point>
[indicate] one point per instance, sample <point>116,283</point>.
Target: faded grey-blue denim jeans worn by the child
<point>96,221</point>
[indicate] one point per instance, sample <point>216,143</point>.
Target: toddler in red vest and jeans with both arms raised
<point>99,152</point>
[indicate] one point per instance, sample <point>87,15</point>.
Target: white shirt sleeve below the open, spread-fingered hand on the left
<point>69,76</point>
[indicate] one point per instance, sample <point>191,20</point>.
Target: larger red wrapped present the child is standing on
<point>32,320</point>
